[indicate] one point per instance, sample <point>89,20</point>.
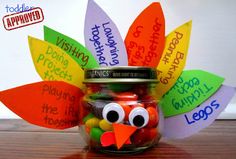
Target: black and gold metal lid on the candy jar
<point>120,74</point>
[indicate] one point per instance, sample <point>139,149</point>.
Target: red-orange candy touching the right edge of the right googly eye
<point>153,117</point>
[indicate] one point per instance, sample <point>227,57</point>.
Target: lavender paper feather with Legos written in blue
<point>185,125</point>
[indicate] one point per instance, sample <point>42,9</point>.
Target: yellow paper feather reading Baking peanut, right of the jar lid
<point>173,58</point>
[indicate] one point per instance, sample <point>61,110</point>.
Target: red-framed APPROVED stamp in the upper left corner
<point>21,19</point>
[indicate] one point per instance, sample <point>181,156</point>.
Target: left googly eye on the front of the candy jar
<point>113,113</point>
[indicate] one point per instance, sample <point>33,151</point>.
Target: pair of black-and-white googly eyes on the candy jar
<point>114,113</point>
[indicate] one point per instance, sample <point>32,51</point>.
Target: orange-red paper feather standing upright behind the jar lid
<point>146,37</point>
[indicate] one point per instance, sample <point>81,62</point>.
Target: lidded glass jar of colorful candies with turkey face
<point>122,113</point>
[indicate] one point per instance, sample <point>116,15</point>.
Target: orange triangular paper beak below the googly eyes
<point>122,133</point>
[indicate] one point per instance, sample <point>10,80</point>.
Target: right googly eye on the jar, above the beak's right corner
<point>139,117</point>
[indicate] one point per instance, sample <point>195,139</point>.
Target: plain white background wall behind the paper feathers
<point>212,46</point>
